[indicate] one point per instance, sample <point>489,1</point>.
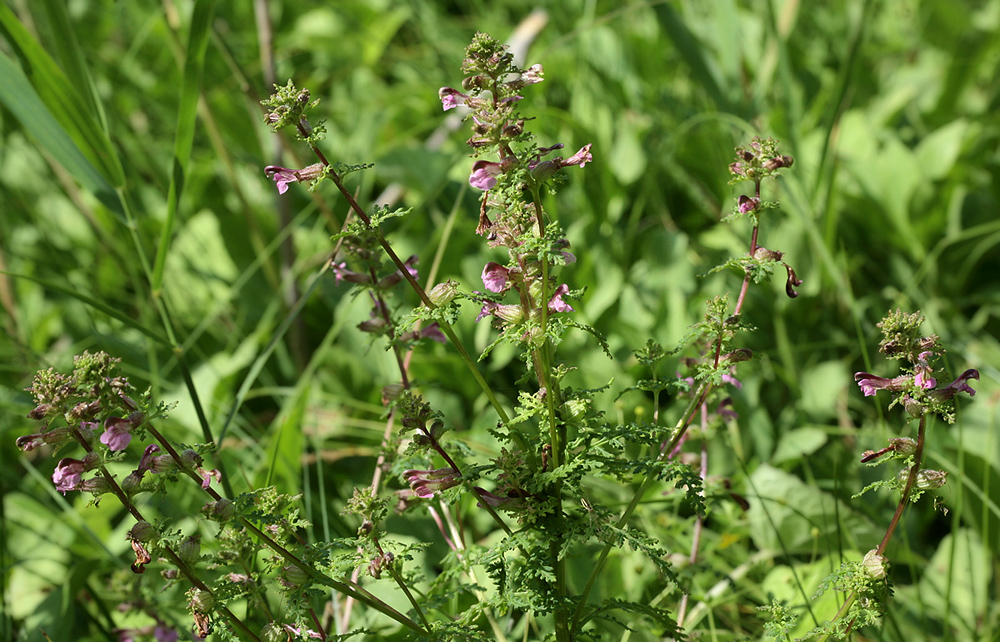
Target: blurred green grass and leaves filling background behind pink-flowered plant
<point>889,109</point>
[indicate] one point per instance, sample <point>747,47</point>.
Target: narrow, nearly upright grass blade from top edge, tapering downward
<point>194,62</point>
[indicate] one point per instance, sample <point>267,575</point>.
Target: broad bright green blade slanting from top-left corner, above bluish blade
<point>57,93</point>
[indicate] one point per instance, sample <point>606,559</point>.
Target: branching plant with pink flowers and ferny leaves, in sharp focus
<point>511,521</point>
